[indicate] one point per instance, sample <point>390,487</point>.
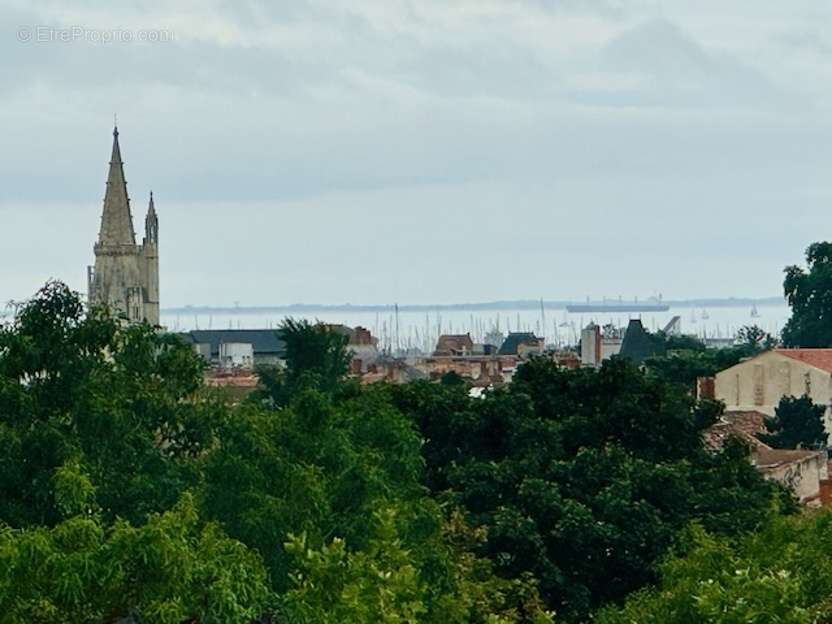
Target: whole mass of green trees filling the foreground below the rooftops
<point>129,490</point>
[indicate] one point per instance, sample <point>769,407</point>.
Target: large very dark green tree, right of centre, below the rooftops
<point>584,478</point>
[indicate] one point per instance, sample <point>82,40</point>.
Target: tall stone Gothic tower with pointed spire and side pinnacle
<point>126,275</point>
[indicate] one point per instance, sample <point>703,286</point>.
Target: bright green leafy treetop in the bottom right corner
<point>779,574</point>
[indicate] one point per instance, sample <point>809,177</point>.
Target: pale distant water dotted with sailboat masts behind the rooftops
<point>420,329</point>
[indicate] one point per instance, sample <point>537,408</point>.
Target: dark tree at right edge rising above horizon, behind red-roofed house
<point>809,293</point>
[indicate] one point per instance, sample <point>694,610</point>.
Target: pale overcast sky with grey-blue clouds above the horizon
<point>372,151</point>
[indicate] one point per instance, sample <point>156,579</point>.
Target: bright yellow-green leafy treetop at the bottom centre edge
<point>383,583</point>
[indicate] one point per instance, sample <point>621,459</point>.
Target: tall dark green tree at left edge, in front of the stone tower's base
<point>83,392</point>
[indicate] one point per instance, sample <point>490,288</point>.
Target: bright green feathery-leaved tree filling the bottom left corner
<point>170,570</point>
